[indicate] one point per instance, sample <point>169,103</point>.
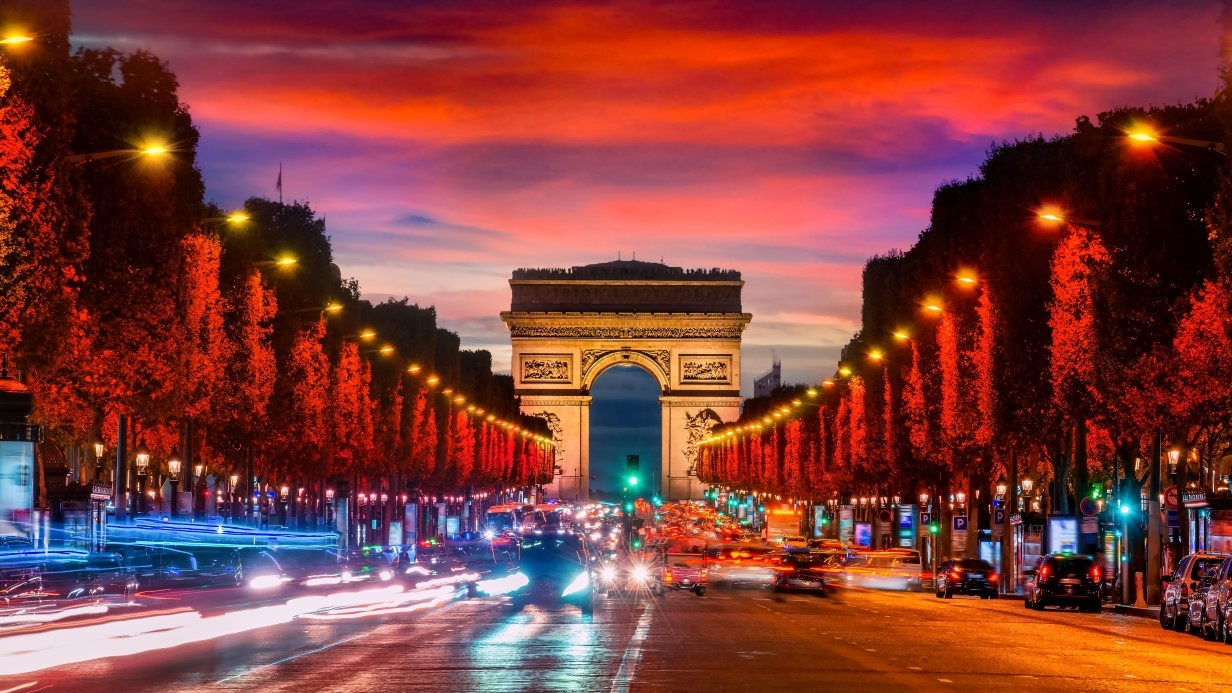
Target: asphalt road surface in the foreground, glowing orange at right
<point>727,641</point>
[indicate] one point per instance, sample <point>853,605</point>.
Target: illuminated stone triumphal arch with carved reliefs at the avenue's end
<point>683,327</point>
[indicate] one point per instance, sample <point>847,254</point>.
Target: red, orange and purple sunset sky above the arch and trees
<point>449,144</point>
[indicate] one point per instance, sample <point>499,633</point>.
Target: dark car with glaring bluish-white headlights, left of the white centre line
<point>553,569</point>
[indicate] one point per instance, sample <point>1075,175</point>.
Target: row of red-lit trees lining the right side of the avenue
<point>1069,347</point>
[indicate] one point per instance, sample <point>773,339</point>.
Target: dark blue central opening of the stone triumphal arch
<point>625,420</point>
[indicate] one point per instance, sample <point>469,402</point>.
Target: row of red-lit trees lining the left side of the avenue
<point>123,293</point>
